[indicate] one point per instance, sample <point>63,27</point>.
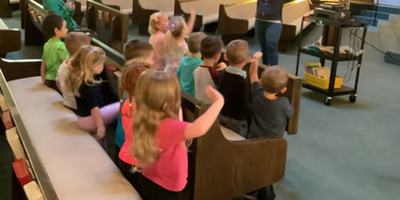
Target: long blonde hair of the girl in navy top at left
<point>82,68</point>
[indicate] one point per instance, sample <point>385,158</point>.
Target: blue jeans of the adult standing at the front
<point>268,35</point>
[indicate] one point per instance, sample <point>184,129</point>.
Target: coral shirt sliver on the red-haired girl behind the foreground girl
<point>127,124</point>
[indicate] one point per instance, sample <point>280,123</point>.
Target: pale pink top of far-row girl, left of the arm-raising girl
<point>157,41</point>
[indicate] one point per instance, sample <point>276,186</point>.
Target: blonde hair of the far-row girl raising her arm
<point>176,26</point>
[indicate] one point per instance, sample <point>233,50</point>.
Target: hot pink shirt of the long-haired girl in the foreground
<point>170,171</point>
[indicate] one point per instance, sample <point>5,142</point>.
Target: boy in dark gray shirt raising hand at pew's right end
<point>270,117</point>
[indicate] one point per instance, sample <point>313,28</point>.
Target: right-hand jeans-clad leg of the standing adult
<point>272,36</point>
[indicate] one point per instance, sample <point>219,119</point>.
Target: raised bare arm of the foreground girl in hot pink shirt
<point>201,125</point>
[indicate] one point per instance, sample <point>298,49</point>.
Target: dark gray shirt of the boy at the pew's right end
<point>269,116</point>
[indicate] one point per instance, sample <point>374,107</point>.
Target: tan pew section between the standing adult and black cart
<point>293,10</point>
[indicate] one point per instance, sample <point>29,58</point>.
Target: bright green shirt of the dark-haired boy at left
<point>54,51</point>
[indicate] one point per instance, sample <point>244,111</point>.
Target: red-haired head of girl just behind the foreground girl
<point>129,78</point>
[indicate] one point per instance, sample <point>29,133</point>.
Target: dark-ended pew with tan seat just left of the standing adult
<point>236,19</point>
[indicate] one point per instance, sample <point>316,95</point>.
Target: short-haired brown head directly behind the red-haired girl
<point>139,51</point>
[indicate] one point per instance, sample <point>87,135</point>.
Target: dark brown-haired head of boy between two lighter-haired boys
<point>211,47</point>
